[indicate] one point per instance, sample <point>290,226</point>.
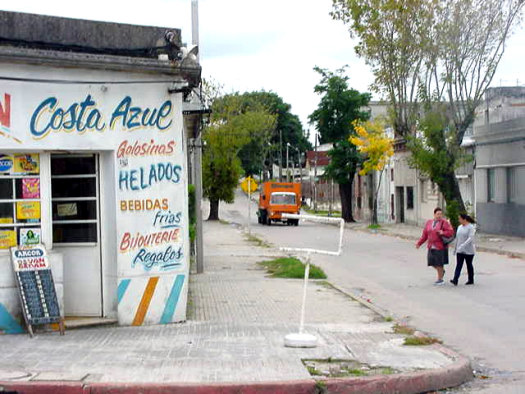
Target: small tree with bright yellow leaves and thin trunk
<point>372,141</point>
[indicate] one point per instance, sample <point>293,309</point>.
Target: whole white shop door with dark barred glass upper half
<point>75,190</point>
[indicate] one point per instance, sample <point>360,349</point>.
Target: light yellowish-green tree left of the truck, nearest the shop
<point>232,127</point>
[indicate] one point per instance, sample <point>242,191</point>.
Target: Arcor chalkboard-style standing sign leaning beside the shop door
<point>36,287</point>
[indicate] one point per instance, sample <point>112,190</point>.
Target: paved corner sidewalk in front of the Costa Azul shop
<point>233,341</point>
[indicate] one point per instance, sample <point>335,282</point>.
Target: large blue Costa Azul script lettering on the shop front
<point>84,116</point>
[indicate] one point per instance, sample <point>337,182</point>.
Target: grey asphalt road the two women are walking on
<point>485,322</point>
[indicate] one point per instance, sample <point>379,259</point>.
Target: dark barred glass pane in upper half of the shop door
<point>74,198</point>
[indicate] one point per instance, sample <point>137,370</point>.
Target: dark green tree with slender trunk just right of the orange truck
<point>338,108</point>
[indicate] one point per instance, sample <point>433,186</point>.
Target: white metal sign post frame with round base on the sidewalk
<point>302,339</point>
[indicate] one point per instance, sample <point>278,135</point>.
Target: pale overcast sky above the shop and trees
<point>249,45</point>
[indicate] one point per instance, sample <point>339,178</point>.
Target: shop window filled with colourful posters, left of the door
<point>19,200</point>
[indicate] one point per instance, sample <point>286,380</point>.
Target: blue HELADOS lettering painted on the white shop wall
<point>141,178</point>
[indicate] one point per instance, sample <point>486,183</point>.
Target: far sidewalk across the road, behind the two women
<point>501,244</point>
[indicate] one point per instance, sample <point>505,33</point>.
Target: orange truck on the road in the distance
<point>277,198</point>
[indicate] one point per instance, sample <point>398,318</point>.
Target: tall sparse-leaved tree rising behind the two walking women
<point>433,59</point>
